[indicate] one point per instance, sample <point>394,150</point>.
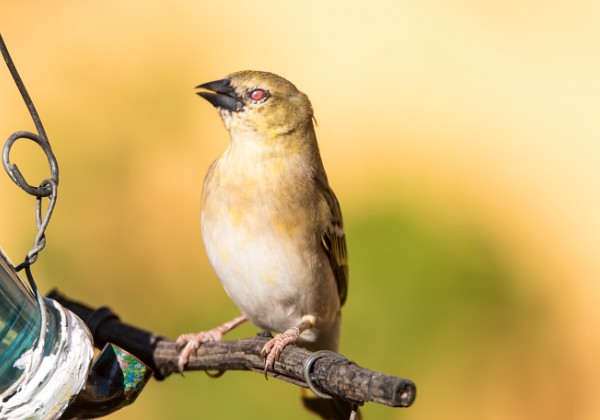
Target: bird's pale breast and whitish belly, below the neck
<point>262,241</point>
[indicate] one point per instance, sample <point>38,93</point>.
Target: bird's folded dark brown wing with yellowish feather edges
<point>334,242</point>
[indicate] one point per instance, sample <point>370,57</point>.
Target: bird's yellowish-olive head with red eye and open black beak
<point>258,101</point>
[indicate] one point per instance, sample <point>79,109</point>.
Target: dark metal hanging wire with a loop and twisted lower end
<point>48,187</point>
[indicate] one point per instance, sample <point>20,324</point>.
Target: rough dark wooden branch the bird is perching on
<point>333,374</point>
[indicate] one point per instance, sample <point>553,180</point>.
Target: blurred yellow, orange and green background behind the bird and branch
<point>462,140</point>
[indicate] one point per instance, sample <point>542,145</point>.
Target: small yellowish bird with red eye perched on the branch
<point>271,225</point>
